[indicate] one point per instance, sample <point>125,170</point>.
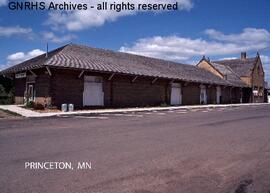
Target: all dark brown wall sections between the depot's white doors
<point>64,86</point>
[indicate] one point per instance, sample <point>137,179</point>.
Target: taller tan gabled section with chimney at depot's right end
<point>245,72</point>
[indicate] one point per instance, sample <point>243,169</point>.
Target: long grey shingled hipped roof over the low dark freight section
<point>93,59</point>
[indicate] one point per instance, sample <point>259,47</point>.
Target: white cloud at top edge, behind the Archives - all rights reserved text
<point>79,20</point>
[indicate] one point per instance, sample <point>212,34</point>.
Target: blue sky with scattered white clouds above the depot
<point>216,29</point>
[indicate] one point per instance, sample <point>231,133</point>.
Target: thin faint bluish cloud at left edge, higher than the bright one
<point>14,30</point>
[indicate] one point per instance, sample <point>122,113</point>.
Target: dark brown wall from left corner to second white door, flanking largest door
<point>66,87</point>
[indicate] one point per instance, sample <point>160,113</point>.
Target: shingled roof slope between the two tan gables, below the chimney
<point>243,67</point>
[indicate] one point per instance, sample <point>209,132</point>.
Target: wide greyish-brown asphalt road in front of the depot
<point>225,150</point>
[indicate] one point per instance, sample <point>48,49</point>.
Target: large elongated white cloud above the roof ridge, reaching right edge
<point>180,48</point>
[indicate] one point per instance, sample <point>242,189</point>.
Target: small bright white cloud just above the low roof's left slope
<point>19,57</point>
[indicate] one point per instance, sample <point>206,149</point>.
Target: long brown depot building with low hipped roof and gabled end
<point>90,77</point>
